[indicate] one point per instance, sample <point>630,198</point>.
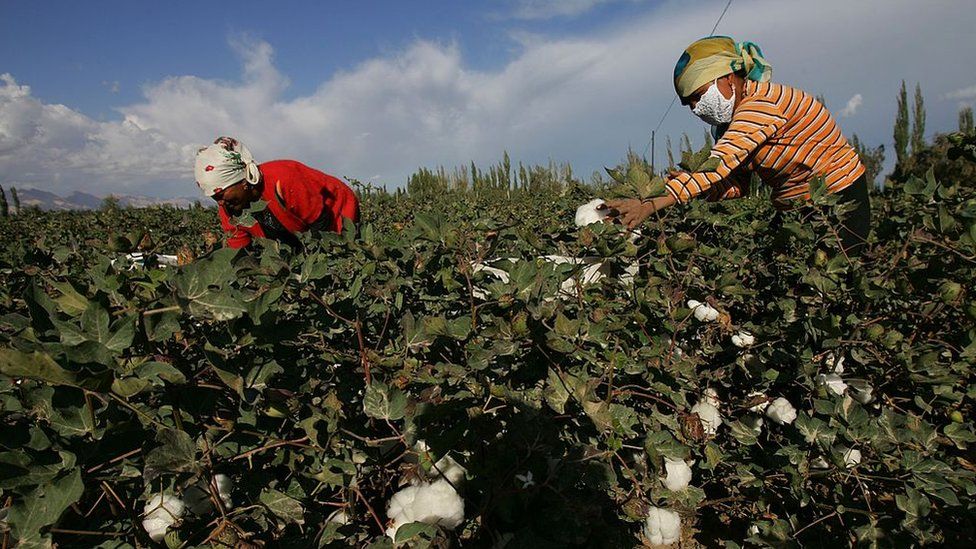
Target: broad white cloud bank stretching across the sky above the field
<point>583,99</point>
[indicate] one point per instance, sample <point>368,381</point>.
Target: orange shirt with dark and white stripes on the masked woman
<point>786,137</point>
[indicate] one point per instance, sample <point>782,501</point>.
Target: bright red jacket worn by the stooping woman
<point>297,196</point>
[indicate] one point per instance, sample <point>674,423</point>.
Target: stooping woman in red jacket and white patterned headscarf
<point>299,198</point>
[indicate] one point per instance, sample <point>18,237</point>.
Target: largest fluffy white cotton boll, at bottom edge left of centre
<point>428,502</point>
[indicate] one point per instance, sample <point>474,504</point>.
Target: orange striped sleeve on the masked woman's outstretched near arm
<point>754,122</point>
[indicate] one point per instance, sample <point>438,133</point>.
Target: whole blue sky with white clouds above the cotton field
<point>116,96</point>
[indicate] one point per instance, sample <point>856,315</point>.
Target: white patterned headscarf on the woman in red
<point>223,164</point>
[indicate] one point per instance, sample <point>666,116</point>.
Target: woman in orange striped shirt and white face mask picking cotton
<point>780,133</point>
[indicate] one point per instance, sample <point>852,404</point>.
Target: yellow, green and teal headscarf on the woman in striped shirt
<point>714,57</point>
